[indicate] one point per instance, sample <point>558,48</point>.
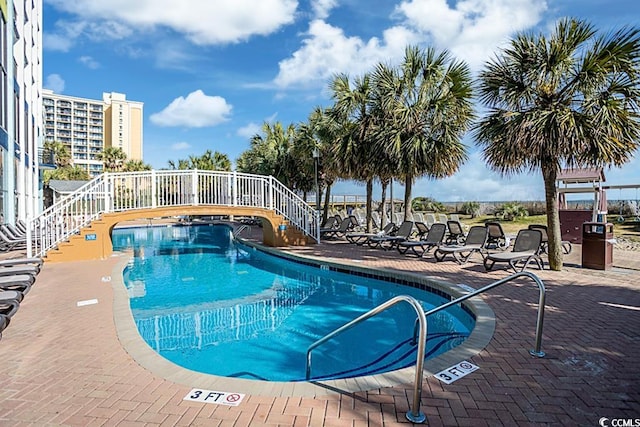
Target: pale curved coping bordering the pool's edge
<point>145,356</point>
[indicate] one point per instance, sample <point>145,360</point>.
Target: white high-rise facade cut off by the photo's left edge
<point>20,108</point>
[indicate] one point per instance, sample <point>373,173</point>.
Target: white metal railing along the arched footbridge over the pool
<point>122,191</point>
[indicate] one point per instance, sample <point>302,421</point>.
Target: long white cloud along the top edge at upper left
<point>203,22</point>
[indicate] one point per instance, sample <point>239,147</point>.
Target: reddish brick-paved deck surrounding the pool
<point>61,364</point>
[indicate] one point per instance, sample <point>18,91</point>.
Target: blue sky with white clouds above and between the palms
<point>210,73</point>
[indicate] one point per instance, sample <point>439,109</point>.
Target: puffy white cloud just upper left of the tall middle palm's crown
<point>327,51</point>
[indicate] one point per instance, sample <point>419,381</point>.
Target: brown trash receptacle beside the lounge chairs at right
<point>597,245</point>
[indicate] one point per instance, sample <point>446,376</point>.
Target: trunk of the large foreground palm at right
<point>549,175</point>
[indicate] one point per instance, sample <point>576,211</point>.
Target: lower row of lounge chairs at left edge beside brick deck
<point>17,276</point>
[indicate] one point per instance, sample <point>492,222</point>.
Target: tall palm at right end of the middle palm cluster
<point>424,107</point>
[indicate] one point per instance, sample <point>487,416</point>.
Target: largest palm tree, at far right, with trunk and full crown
<point>570,100</point>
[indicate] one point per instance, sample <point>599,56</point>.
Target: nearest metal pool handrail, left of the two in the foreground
<point>413,415</point>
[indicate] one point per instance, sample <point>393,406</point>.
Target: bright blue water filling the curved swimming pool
<point>212,305</point>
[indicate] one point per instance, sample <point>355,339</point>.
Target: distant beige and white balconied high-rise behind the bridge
<point>88,126</point>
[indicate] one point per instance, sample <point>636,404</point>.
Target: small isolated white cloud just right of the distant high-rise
<point>196,110</point>
